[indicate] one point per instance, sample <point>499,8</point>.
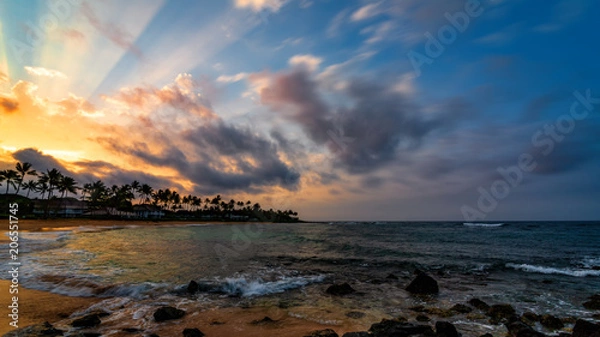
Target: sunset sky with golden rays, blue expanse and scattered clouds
<point>458,110</point>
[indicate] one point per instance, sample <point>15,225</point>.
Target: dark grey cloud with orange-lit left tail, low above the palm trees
<point>227,158</point>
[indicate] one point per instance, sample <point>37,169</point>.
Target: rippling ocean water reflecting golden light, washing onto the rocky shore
<point>542,267</point>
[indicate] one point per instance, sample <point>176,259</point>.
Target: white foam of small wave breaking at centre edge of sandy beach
<point>241,286</point>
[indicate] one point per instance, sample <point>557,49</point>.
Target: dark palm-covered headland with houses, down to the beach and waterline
<point>56,196</point>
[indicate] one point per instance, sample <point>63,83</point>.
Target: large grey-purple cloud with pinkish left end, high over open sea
<point>366,133</point>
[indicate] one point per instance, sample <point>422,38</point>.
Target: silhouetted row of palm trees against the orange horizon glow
<point>52,185</point>
